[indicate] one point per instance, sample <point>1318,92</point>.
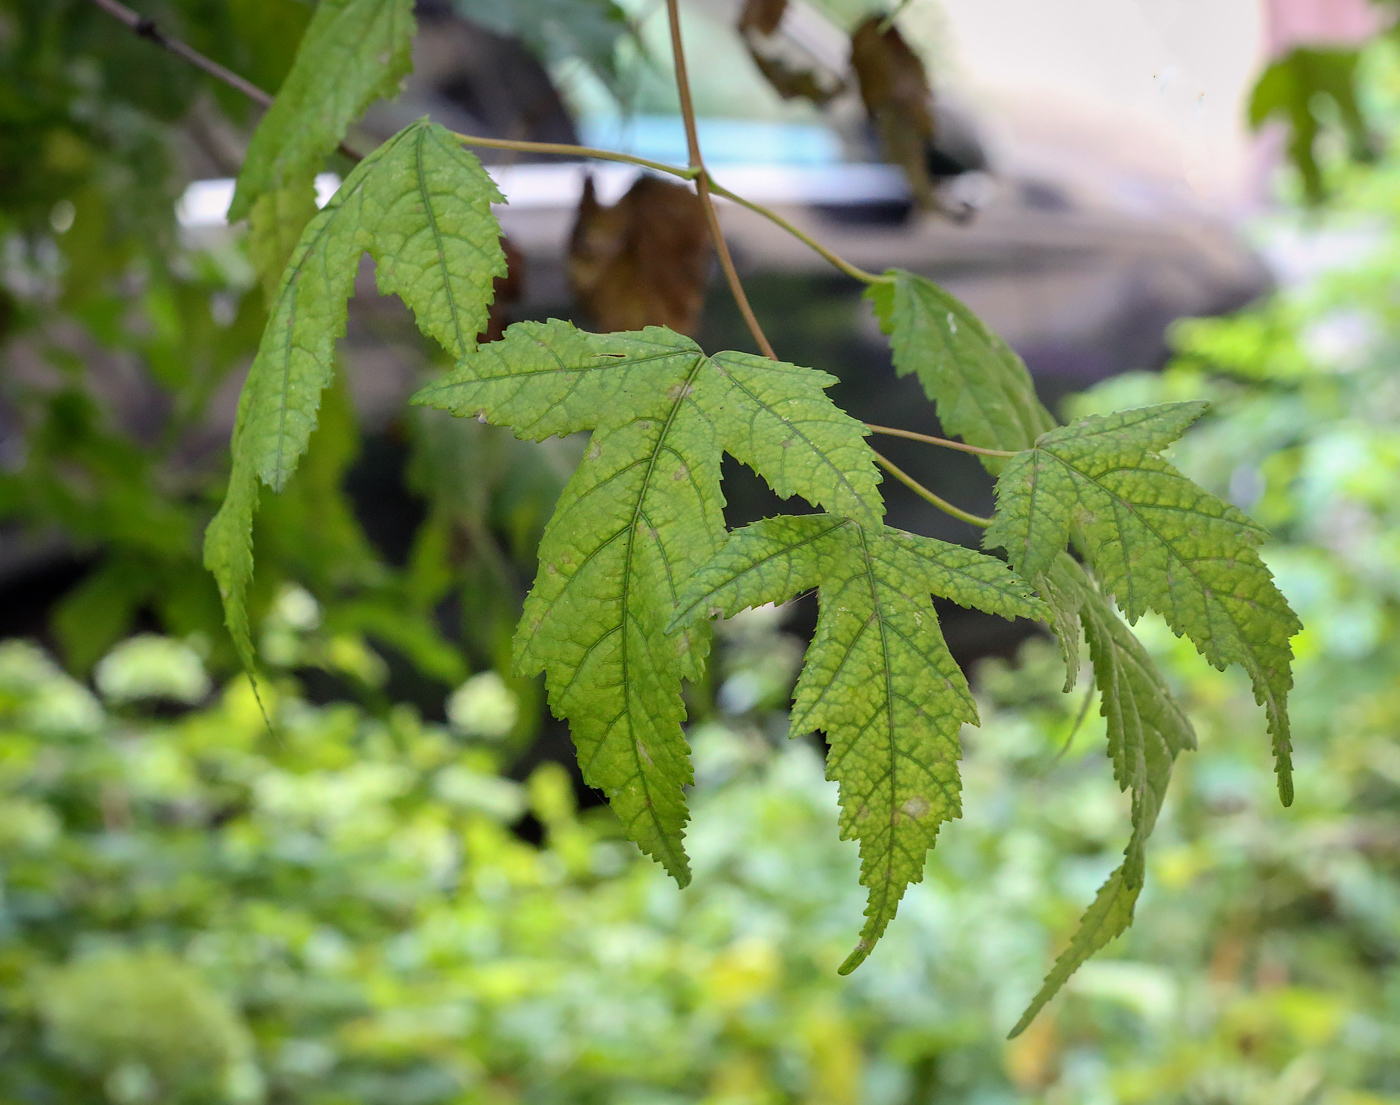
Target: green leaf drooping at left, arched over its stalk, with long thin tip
<point>421,205</point>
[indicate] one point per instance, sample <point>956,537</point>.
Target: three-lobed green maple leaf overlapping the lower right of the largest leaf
<point>878,679</point>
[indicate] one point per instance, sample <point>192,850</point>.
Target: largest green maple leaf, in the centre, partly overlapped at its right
<point>639,516</point>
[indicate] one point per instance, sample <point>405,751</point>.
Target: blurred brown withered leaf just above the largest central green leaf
<point>642,263</point>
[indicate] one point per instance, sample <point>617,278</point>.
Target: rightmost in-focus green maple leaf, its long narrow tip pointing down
<point>1157,541</point>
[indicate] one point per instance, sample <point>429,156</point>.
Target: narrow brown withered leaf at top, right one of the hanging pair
<point>899,102</point>
